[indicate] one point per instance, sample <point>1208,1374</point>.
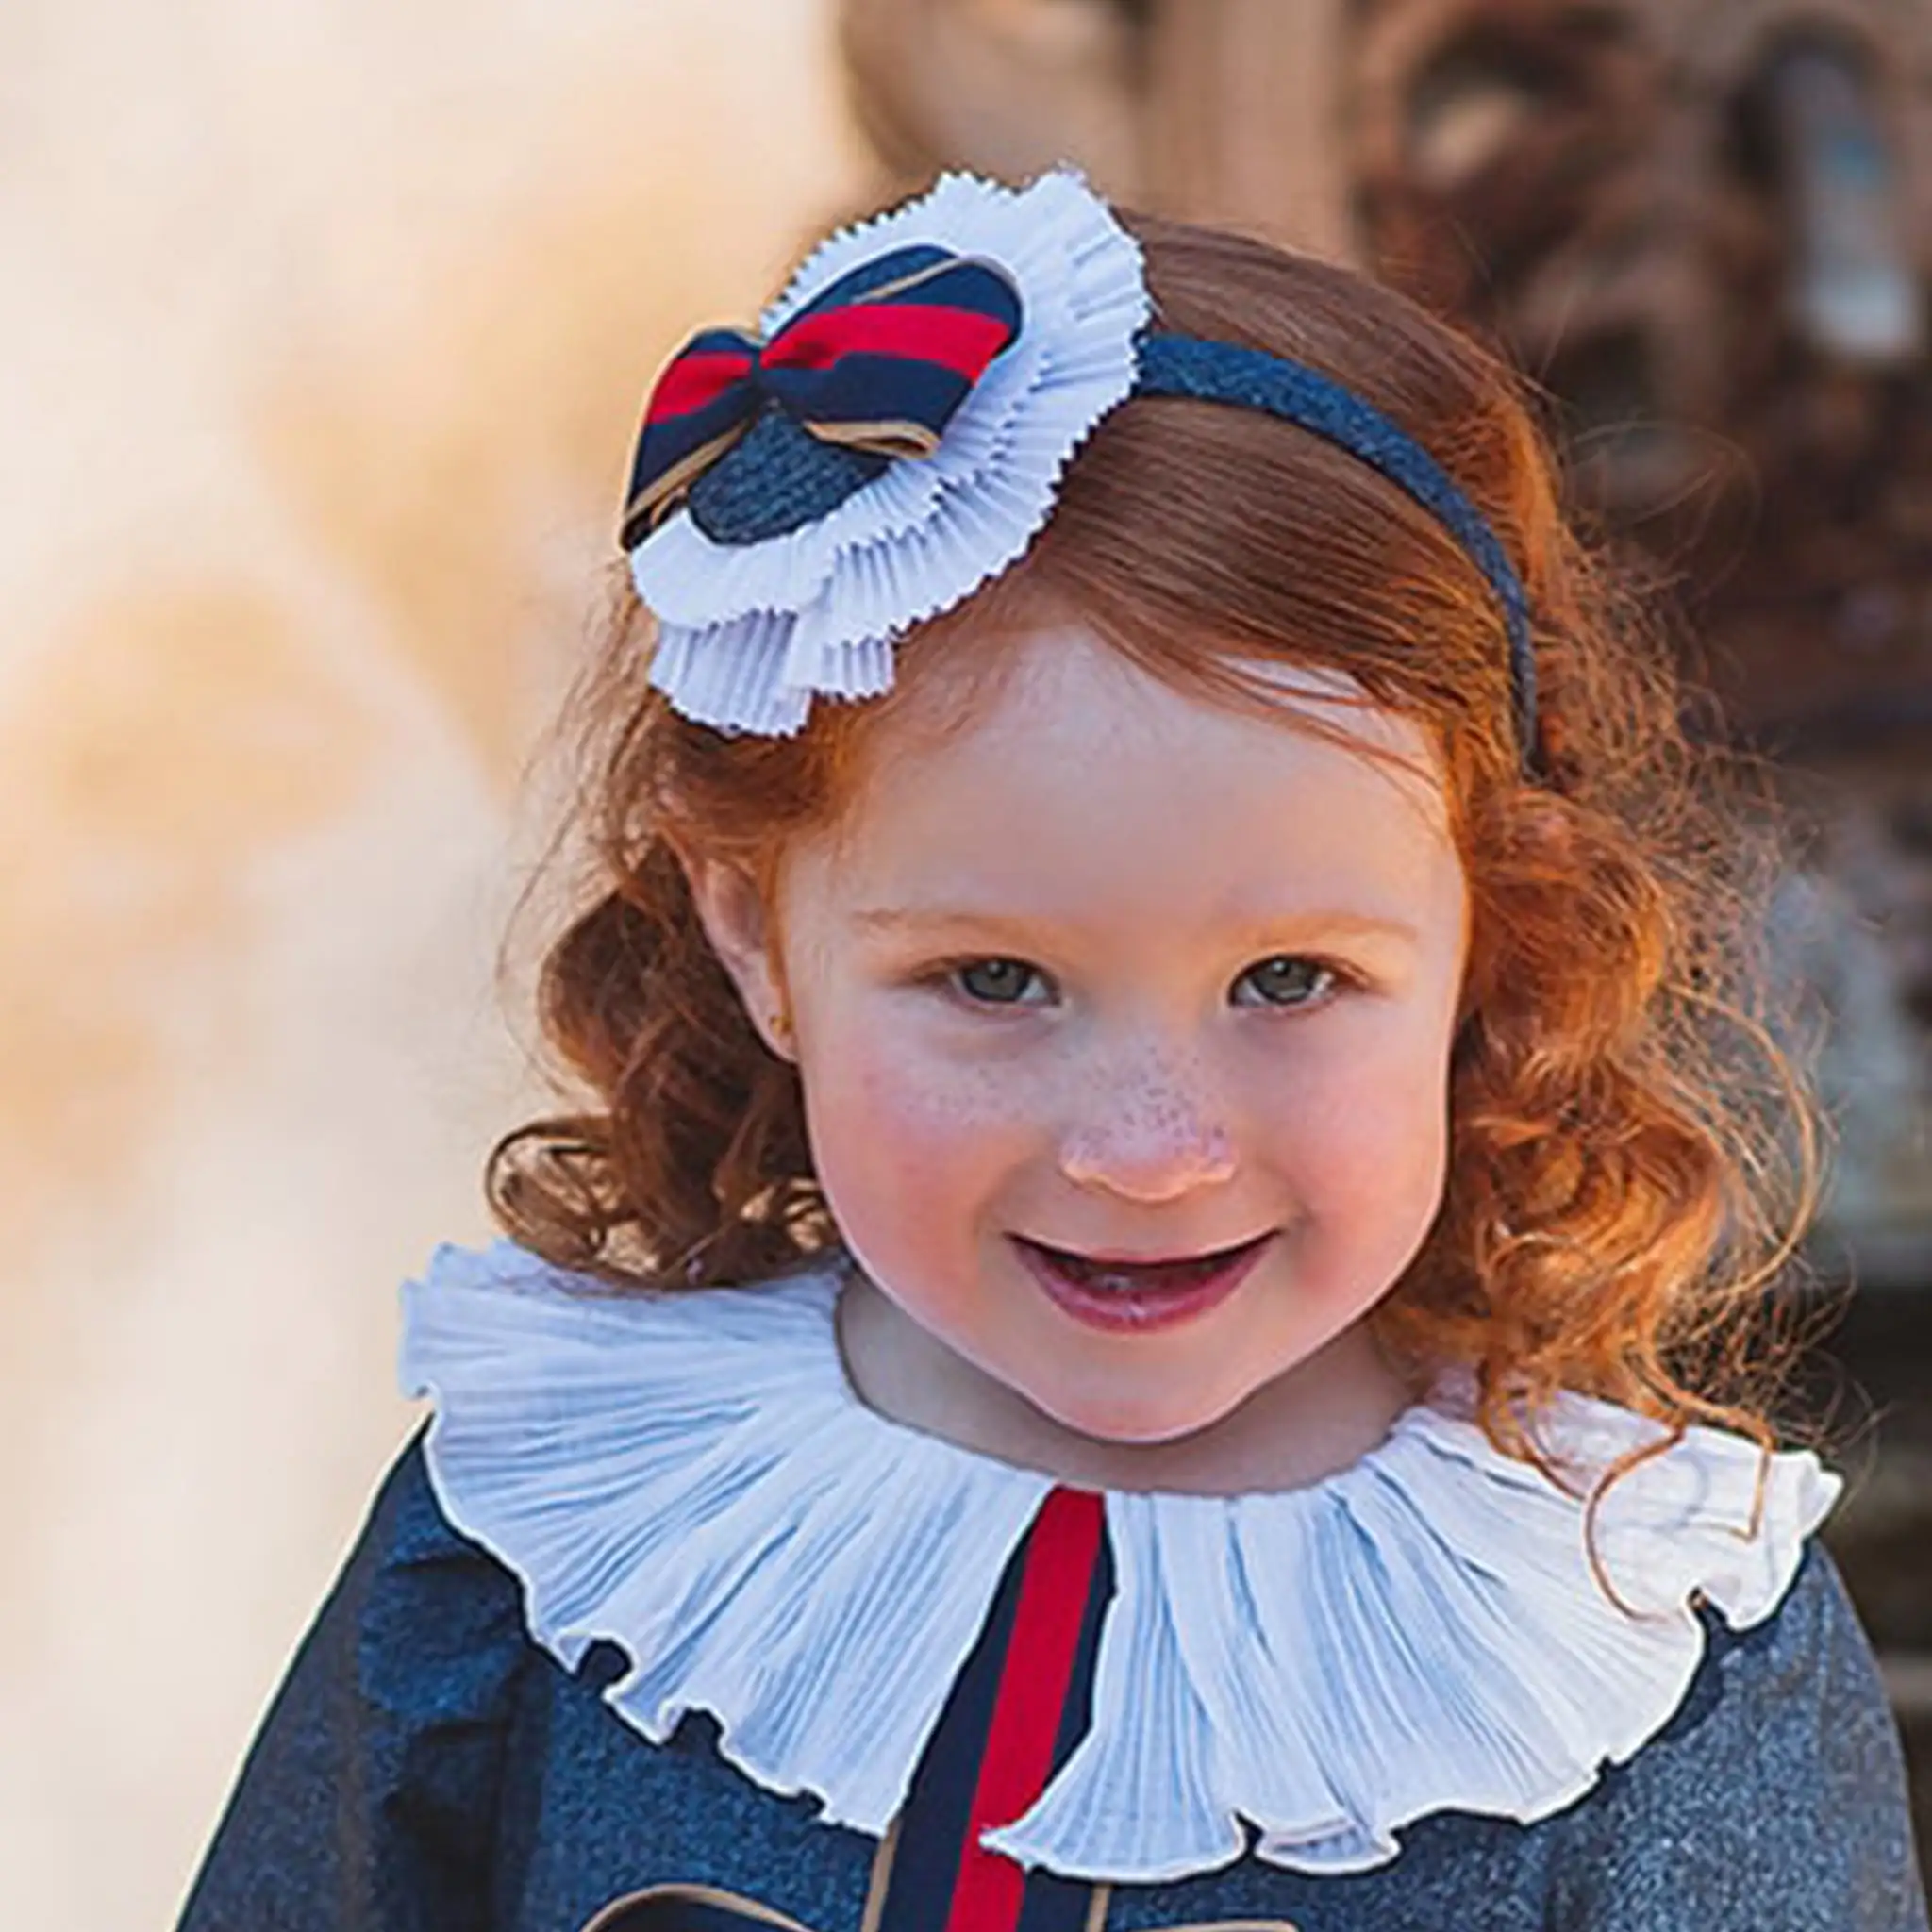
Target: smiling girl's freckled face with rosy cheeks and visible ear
<point>1118,977</point>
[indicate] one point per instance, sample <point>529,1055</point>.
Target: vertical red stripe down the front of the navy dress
<point>1027,1713</point>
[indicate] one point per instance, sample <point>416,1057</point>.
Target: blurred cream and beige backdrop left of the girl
<point>324,327</point>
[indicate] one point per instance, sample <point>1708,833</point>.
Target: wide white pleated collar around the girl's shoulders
<point>693,1479</point>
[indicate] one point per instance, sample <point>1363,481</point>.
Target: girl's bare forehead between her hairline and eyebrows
<point>1081,770</point>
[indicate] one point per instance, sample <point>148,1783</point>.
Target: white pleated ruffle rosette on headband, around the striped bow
<point>751,631</point>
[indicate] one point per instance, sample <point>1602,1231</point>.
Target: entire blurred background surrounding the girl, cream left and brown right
<point>326,327</point>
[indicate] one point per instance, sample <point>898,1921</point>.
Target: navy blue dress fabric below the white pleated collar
<point>428,1769</point>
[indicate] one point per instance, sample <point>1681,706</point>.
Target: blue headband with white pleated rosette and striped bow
<point>899,434</point>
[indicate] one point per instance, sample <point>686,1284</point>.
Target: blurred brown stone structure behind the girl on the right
<point>1705,229</point>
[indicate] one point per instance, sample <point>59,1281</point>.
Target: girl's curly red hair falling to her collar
<point>1634,1154</point>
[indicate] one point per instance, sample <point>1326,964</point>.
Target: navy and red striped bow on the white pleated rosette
<point>880,362</point>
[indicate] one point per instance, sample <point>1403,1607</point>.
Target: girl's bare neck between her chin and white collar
<point>1311,1423</point>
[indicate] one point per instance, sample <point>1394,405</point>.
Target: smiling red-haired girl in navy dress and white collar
<point>1141,1326</point>
